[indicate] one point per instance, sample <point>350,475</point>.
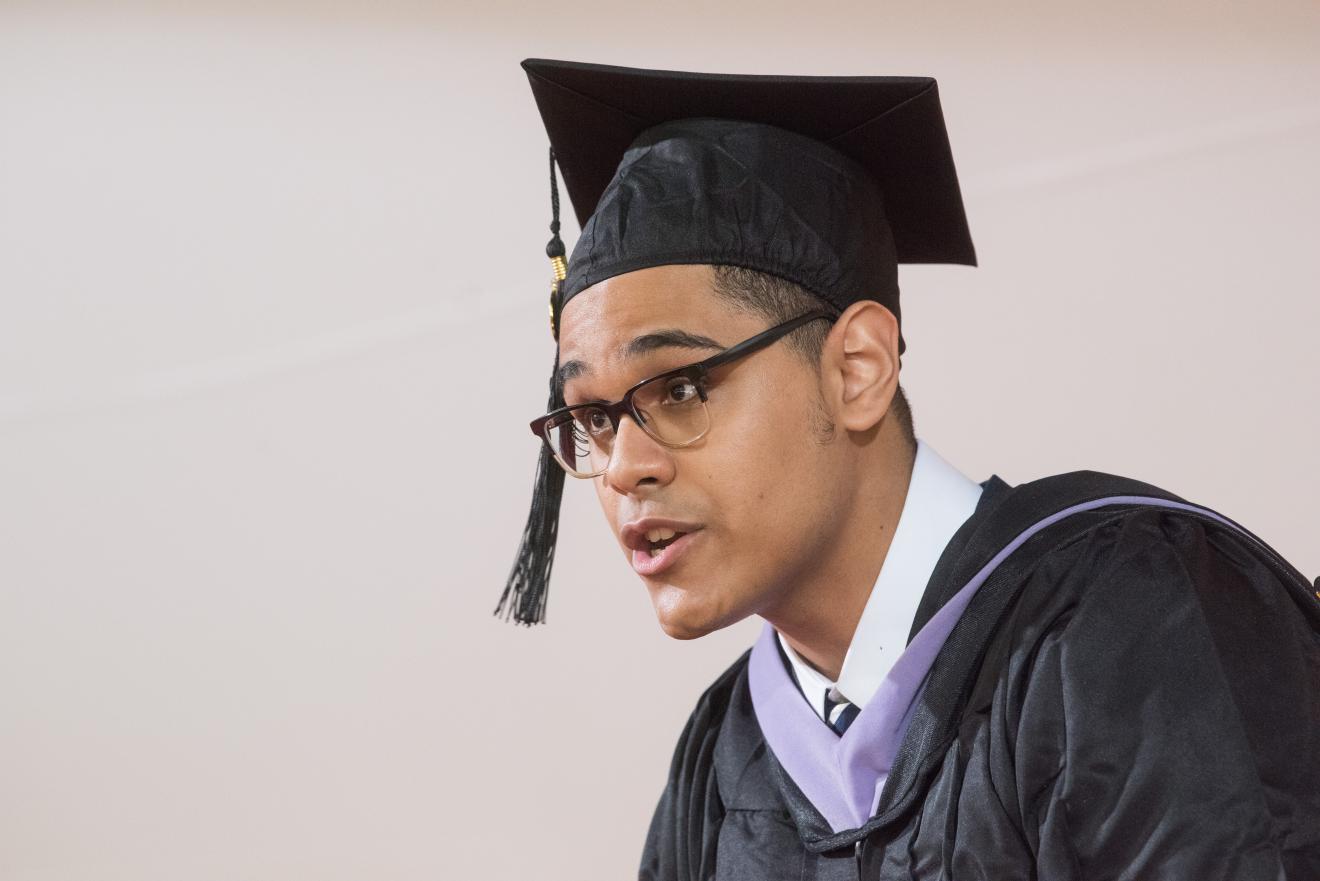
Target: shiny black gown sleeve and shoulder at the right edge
<point>1161,698</point>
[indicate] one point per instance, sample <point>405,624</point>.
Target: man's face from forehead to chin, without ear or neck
<point>757,496</point>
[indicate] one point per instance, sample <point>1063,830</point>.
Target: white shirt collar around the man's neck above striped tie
<point>939,501</point>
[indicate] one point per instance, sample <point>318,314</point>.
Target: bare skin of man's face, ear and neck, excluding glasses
<point>782,505</point>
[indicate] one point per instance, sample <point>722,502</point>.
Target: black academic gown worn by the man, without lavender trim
<point>1136,694</point>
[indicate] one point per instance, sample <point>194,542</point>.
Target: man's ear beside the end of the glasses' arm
<point>861,365</point>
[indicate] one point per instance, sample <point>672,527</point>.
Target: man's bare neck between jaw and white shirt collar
<point>818,616</point>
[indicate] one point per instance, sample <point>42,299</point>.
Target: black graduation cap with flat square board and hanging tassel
<point>826,182</point>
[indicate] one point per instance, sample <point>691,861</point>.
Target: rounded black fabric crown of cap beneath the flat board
<point>721,191</point>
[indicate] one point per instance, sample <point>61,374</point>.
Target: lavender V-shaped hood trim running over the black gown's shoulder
<point>844,776</point>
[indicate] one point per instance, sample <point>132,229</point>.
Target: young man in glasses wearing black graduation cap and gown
<point>1084,677</point>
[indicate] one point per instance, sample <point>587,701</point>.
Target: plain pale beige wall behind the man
<point>273,324</point>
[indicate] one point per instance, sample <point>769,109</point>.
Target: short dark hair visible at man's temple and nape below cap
<point>778,300</point>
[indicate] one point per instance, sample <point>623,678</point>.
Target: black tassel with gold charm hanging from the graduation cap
<point>530,581</point>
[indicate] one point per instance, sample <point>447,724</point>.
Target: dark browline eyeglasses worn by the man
<point>670,407</point>
